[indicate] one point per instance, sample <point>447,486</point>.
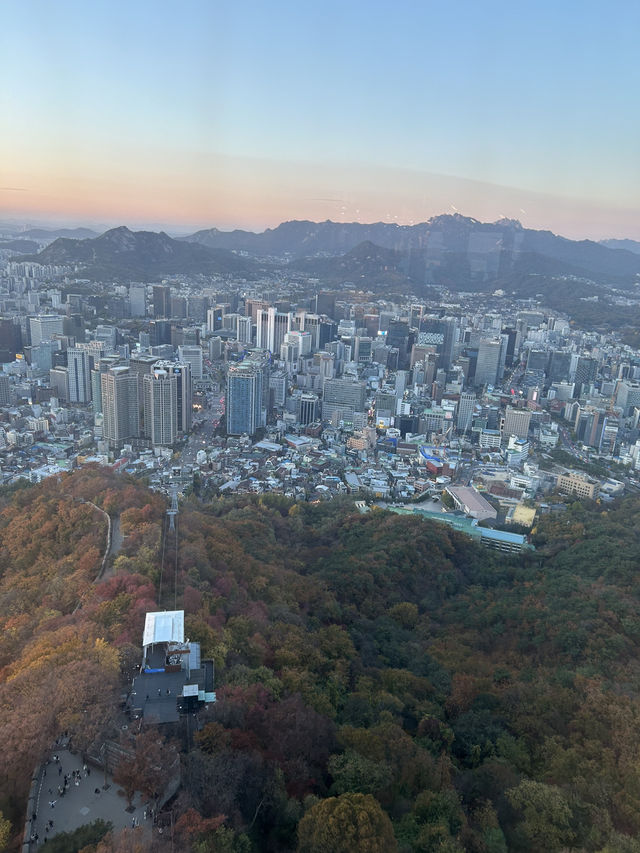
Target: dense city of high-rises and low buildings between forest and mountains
<point>467,403</point>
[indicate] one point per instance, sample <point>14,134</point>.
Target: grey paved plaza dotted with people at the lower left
<point>80,804</point>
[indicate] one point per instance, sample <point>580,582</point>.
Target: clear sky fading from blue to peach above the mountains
<point>208,113</point>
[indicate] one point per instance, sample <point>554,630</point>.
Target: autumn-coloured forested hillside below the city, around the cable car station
<point>382,682</point>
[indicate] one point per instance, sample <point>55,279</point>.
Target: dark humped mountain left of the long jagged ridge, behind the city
<point>145,255</point>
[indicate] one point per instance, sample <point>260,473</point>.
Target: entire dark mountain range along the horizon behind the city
<point>451,250</point>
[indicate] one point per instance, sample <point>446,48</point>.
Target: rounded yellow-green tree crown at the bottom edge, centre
<point>351,823</point>
